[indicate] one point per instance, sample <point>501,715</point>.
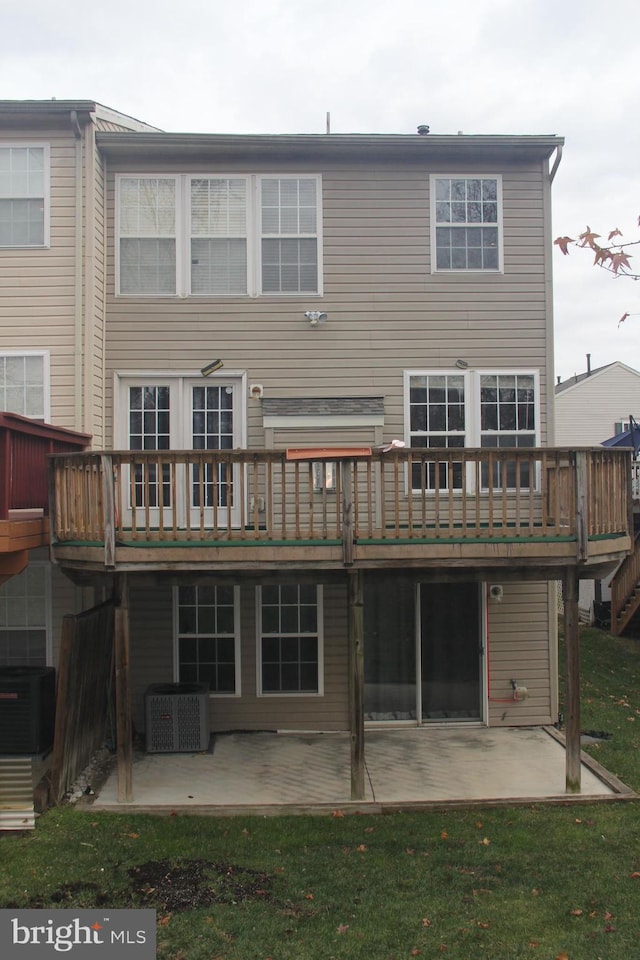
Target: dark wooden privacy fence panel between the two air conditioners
<point>84,708</point>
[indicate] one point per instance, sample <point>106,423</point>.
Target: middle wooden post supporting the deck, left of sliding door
<point>356,680</point>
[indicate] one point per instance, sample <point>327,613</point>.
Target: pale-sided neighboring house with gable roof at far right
<point>591,407</point>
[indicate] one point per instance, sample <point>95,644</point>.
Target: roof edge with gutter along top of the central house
<point>394,147</point>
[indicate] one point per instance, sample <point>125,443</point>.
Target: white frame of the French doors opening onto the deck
<point>180,426</point>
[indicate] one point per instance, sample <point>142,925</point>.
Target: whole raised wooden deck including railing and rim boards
<point>248,510</point>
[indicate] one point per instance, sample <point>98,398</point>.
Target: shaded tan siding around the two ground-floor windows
<point>151,611</point>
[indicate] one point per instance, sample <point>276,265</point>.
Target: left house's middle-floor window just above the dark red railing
<point>24,384</point>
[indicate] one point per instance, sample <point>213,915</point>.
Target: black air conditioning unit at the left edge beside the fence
<point>27,709</point>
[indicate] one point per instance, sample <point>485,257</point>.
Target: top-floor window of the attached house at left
<point>24,195</point>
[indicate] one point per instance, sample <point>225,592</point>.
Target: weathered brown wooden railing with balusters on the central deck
<point>212,497</point>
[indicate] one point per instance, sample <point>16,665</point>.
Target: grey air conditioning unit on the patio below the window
<point>177,717</point>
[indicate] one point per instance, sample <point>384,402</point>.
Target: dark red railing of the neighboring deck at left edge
<point>24,447</point>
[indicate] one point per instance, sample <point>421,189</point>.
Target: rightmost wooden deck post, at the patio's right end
<point>572,706</point>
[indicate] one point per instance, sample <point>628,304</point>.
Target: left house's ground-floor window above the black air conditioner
<point>25,617</point>
